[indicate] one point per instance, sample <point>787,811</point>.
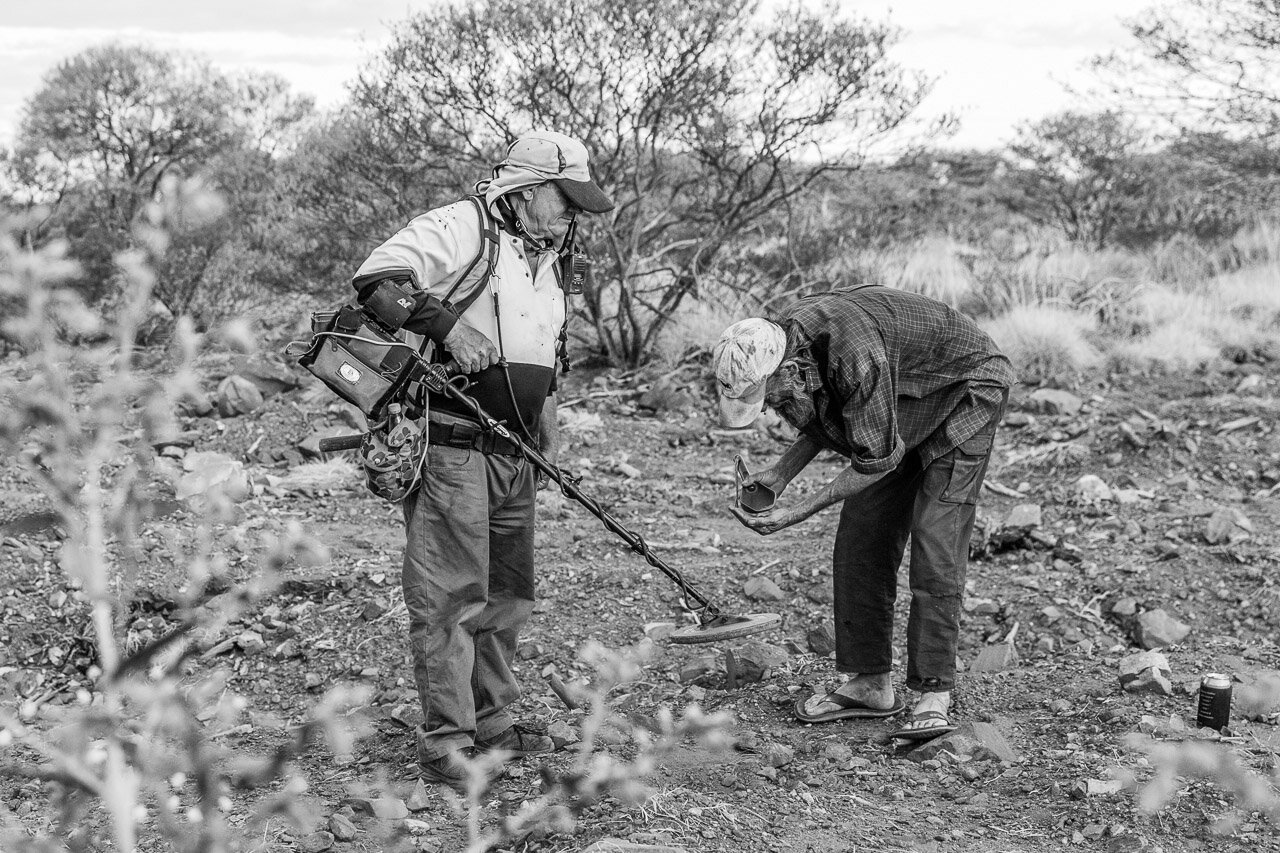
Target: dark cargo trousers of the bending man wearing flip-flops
<point>936,507</point>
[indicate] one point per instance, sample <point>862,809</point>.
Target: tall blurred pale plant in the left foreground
<point>131,765</point>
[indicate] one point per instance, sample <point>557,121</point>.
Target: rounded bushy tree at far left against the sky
<point>113,126</point>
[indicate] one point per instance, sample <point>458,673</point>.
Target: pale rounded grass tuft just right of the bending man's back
<point>1045,343</point>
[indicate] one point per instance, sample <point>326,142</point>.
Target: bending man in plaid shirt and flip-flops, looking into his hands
<point>911,393</point>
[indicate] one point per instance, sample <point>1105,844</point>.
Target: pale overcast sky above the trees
<point>998,63</point>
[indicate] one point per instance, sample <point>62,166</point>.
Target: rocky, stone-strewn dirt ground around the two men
<point>1073,587</point>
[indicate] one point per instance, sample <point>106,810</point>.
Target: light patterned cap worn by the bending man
<point>744,359</point>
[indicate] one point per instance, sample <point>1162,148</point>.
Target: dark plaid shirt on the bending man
<point>895,372</point>
